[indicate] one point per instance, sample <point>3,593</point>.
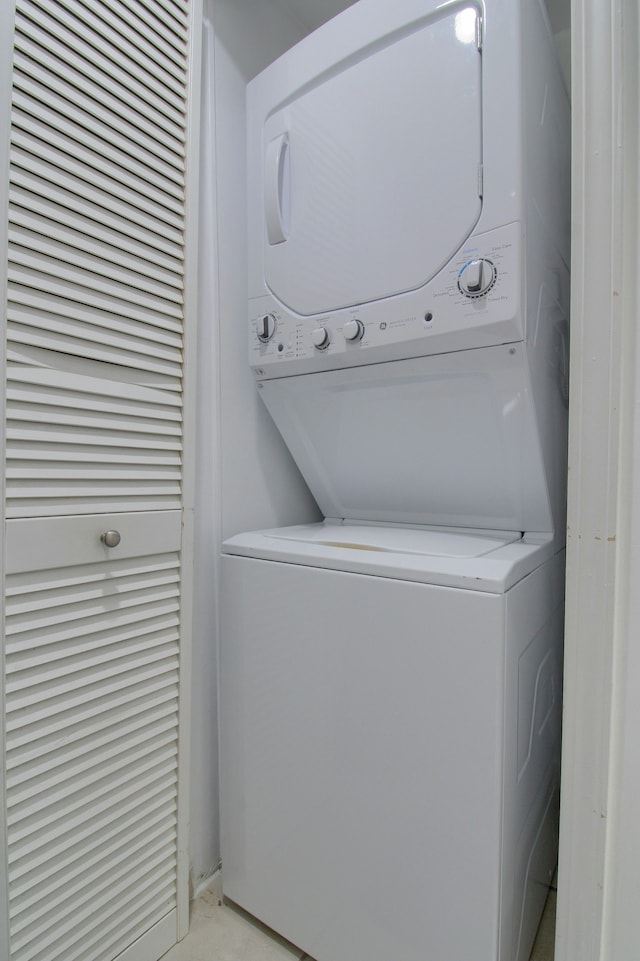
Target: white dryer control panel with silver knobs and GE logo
<point>474,301</point>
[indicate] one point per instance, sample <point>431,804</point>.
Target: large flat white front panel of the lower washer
<point>361,754</point>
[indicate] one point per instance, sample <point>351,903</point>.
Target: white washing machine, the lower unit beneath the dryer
<point>390,739</point>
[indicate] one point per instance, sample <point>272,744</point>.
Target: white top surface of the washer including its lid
<point>490,561</point>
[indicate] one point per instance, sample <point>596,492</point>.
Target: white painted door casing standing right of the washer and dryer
<point>597,462</point>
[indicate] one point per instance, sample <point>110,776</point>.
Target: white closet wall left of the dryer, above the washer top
<point>260,484</point>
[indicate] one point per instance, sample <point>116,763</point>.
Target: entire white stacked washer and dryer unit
<point>391,677</point>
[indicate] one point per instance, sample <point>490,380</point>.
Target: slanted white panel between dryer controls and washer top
<point>449,440</point>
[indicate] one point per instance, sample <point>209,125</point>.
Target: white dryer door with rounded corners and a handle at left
<point>368,189</point>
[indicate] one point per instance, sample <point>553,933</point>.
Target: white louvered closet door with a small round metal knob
<point>97,308</point>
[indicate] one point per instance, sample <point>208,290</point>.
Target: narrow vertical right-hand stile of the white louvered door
<point>189,441</point>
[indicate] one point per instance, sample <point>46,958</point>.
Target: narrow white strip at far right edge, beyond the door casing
<point>621,938</point>
